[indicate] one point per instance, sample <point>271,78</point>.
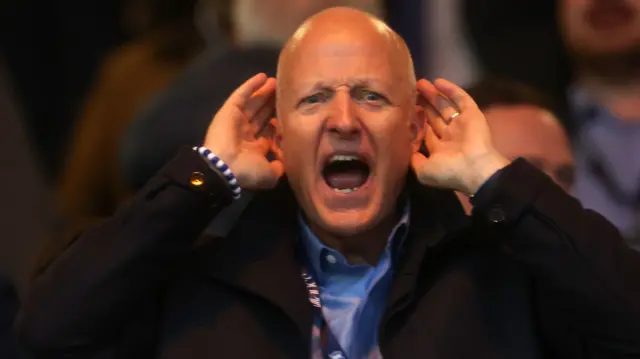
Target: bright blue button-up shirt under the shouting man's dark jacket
<point>354,297</point>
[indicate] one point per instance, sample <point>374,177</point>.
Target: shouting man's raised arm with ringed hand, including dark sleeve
<point>586,279</point>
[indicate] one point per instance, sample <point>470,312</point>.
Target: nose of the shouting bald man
<point>343,119</point>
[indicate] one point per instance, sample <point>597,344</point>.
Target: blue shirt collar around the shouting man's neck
<point>316,252</point>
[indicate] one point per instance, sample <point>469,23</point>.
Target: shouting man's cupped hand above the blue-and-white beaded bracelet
<point>233,130</point>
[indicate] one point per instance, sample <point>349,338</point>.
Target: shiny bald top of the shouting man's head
<point>341,30</point>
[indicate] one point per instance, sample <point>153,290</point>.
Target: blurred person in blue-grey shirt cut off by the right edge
<point>603,41</point>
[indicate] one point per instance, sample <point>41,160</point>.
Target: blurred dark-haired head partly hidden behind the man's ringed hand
<point>523,124</point>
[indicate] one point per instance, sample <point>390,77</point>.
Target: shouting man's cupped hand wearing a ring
<point>461,153</point>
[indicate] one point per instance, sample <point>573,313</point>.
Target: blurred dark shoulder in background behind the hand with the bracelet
<point>179,116</point>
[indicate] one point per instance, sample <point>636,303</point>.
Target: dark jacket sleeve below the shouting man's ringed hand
<point>586,279</point>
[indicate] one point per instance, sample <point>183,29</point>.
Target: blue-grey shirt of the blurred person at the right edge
<point>615,145</point>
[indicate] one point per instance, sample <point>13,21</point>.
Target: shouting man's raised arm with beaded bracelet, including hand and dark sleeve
<point>93,291</point>
